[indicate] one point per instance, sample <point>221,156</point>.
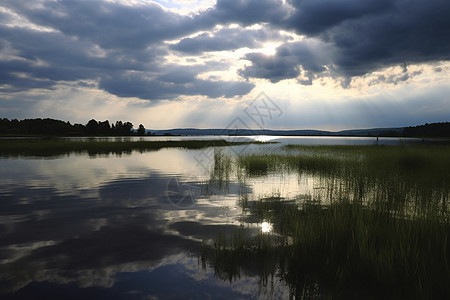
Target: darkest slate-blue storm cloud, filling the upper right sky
<point>361,37</point>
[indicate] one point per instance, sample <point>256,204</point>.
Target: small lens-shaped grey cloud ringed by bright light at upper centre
<point>226,39</point>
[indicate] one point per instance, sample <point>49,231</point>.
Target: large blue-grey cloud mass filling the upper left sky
<point>121,47</point>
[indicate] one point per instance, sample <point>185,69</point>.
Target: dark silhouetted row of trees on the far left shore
<point>54,127</point>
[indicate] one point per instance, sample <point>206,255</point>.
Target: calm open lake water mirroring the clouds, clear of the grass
<point>132,226</point>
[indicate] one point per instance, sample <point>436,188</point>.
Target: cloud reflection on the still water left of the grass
<point>83,221</point>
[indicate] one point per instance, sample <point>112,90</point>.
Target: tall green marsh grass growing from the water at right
<point>378,227</point>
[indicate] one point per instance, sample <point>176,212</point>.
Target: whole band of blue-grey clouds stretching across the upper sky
<point>108,41</point>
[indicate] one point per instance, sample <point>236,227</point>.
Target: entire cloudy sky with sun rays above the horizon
<point>278,64</point>
